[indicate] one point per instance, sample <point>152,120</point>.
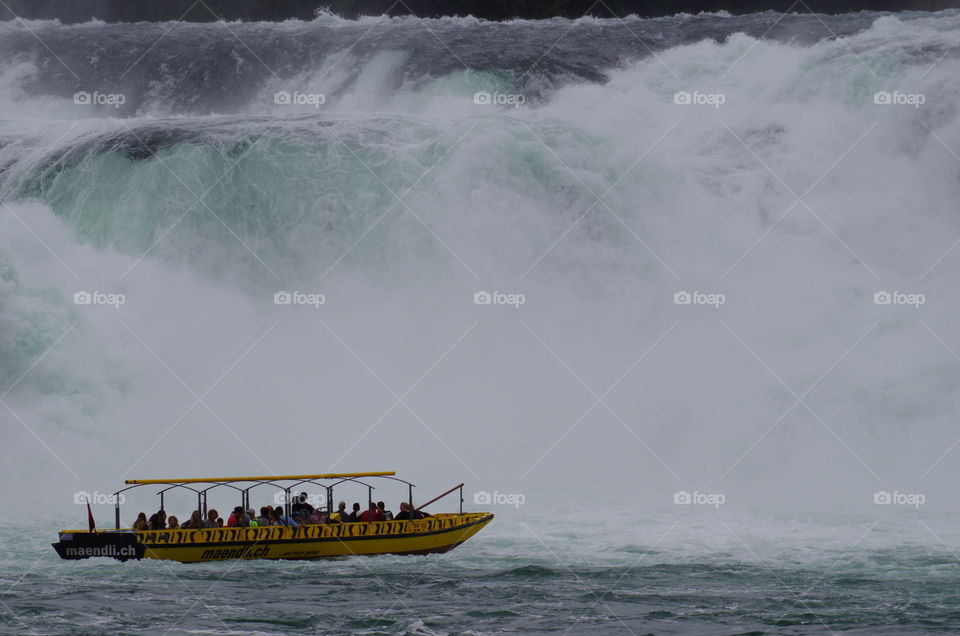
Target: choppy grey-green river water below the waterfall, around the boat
<point>532,574</point>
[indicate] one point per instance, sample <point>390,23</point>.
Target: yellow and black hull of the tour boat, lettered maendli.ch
<point>423,536</point>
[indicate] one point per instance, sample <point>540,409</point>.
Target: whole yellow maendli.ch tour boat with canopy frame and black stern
<point>430,534</point>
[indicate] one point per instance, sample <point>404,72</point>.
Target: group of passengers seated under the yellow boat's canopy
<point>301,513</point>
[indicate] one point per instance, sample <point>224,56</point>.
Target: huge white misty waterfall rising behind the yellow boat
<point>789,206</point>
